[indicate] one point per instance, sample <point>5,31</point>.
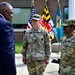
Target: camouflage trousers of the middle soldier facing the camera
<point>35,67</point>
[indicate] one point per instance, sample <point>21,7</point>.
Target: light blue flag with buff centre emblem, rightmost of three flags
<point>58,28</point>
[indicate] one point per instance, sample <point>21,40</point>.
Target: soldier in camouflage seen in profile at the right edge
<point>67,64</point>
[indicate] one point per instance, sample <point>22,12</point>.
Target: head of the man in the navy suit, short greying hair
<point>6,10</point>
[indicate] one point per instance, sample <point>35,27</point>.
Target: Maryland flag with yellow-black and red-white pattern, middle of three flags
<point>46,21</point>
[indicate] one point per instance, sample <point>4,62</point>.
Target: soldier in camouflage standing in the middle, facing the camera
<point>36,48</point>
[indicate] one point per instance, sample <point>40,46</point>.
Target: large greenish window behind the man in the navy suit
<point>20,17</point>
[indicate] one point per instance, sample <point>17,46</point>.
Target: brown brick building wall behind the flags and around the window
<point>39,6</point>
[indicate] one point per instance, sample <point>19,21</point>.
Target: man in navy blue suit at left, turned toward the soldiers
<point>7,41</point>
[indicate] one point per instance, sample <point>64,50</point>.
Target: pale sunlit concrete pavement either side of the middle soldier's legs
<point>51,69</point>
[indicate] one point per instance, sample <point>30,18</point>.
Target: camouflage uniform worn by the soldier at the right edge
<point>68,56</point>
